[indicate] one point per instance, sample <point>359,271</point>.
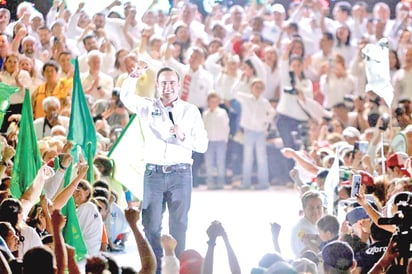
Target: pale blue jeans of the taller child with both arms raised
<point>255,141</point>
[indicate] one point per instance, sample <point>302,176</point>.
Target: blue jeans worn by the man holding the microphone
<point>173,190</point>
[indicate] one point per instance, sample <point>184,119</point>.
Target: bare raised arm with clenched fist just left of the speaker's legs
<point>147,257</point>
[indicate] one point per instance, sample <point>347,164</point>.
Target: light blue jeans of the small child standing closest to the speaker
<point>215,157</point>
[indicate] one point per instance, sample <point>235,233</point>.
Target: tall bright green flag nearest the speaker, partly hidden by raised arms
<point>83,136</point>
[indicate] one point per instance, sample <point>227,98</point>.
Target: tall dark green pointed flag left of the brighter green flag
<point>27,160</point>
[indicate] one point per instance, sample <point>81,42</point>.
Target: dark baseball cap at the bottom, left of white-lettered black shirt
<point>338,255</point>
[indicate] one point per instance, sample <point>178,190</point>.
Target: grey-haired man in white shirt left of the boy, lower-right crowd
<point>305,233</point>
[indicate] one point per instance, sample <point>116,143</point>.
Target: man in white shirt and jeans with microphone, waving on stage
<point>173,129</point>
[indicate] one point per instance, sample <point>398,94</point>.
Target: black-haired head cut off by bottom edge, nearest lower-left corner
<point>38,260</point>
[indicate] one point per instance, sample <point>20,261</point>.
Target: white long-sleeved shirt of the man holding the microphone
<point>161,147</point>
